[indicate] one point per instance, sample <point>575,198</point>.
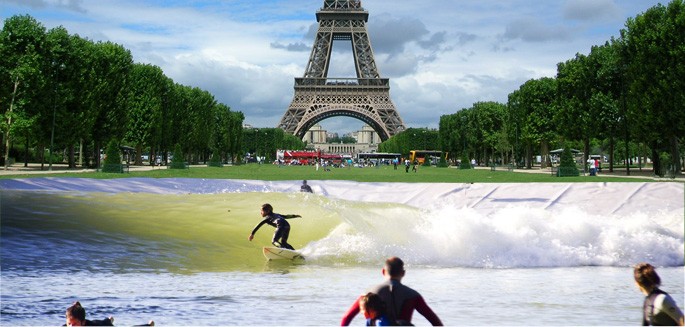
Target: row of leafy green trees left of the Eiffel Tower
<point>62,91</point>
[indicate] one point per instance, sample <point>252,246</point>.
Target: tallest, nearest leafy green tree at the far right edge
<point>655,55</point>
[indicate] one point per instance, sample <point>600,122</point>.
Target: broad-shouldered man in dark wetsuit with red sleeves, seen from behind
<point>400,300</point>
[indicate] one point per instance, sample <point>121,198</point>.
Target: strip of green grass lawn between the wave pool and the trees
<point>371,174</point>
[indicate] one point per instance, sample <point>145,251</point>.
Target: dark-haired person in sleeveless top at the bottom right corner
<point>659,308</point>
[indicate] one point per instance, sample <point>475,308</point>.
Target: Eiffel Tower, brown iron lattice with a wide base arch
<point>318,97</point>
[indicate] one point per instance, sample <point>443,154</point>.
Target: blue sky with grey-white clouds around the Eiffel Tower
<point>440,55</point>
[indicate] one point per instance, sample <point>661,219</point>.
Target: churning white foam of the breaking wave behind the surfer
<point>513,237</point>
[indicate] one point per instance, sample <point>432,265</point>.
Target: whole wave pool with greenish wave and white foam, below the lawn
<point>177,251</point>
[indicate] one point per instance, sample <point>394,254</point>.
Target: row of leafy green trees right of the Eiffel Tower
<point>626,98</point>
